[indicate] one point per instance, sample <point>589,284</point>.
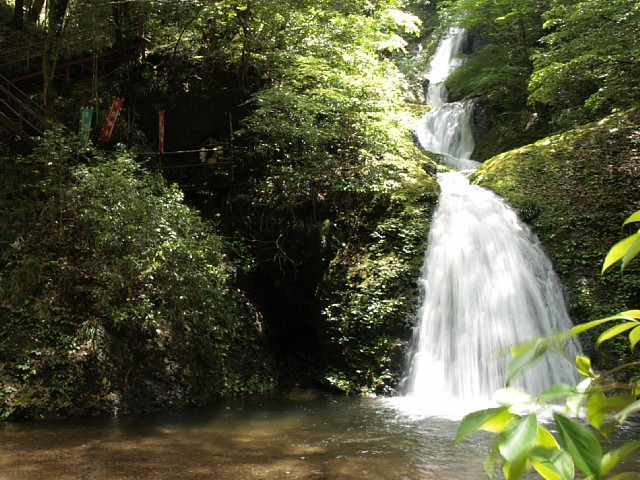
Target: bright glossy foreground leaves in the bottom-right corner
<point>523,442</point>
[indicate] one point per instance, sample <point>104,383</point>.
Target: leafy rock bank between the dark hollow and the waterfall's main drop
<point>369,292</point>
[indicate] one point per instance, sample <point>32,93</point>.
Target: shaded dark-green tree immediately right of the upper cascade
<point>498,70</point>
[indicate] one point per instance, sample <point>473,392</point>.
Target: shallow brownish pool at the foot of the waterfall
<point>315,437</point>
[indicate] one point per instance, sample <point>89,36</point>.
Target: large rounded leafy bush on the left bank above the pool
<point>119,297</point>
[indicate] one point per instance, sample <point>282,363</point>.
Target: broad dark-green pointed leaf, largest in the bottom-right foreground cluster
<point>580,443</point>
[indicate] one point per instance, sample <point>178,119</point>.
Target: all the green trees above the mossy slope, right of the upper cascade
<point>545,65</point>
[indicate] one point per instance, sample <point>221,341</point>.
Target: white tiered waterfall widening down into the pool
<point>486,283</point>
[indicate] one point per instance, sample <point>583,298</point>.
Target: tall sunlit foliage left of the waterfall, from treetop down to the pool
<point>333,158</point>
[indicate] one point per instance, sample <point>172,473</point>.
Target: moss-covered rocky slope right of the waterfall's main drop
<point>575,189</point>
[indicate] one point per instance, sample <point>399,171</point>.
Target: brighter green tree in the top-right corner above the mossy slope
<point>590,64</point>
